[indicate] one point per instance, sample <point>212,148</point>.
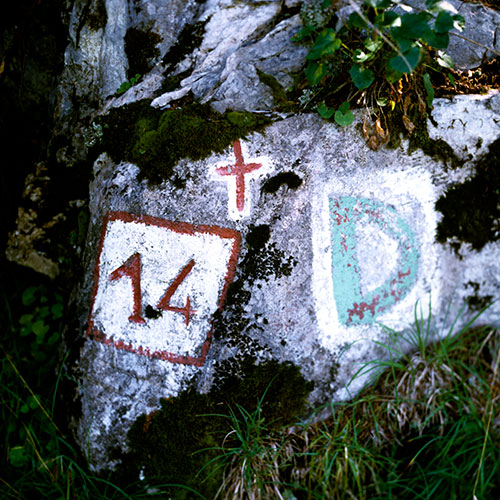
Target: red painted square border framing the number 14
<point>181,228</point>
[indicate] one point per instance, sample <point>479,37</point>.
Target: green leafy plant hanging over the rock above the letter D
<point>388,49</point>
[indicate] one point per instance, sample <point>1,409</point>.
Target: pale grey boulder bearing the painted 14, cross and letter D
<point>293,245</point>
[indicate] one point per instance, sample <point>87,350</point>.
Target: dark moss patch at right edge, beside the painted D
<point>471,210</point>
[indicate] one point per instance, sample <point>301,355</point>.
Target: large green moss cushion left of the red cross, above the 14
<point>156,140</point>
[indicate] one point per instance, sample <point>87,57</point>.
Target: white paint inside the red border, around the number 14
<point>163,254</point>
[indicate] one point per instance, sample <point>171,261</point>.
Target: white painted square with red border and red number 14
<point>158,283</point>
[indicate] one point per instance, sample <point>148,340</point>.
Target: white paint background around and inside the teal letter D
<point>411,194</point>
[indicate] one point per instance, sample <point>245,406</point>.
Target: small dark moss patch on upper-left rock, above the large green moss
<point>140,47</point>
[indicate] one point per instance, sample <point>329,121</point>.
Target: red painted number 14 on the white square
<point>132,268</point>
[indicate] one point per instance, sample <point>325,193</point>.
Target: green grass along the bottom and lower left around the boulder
<point>427,427</point>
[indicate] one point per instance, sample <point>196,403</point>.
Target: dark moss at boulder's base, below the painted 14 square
<point>173,444</point>
